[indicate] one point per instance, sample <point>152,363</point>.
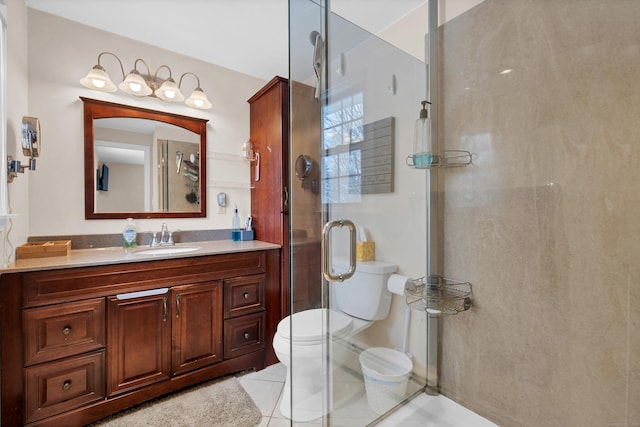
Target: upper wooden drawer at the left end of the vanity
<point>63,330</point>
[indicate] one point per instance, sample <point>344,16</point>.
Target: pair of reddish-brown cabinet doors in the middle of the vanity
<point>154,337</point>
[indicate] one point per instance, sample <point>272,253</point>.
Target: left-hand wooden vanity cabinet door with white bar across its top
<point>138,340</point>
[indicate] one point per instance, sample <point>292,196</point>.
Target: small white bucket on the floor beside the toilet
<point>386,375</point>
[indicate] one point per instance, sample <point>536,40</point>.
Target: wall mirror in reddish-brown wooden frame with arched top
<point>142,163</point>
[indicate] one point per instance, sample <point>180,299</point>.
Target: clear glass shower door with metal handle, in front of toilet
<point>354,99</point>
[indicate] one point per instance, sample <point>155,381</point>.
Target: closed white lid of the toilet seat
<point>307,324</point>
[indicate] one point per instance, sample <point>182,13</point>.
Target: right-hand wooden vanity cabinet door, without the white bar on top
<point>197,326</point>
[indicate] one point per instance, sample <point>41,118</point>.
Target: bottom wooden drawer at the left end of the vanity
<point>60,386</point>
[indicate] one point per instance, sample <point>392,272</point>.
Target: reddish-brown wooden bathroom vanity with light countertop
<point>90,334</point>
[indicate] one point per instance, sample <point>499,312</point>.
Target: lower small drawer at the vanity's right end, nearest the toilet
<point>243,335</point>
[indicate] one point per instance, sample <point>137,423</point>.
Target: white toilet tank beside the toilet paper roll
<point>365,294</point>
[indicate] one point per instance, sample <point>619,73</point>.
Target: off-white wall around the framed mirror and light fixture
<point>60,53</point>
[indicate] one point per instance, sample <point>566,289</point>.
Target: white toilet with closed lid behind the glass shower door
<point>356,302</point>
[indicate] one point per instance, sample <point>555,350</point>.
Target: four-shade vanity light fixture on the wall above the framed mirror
<point>148,84</point>
